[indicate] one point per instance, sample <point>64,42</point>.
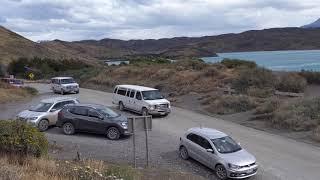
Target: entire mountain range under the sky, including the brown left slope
<point>13,45</point>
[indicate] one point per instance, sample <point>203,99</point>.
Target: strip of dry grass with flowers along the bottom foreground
<point>13,168</point>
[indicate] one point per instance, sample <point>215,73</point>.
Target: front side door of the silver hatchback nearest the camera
<point>207,158</point>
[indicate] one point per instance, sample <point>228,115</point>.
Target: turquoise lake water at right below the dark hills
<point>277,60</point>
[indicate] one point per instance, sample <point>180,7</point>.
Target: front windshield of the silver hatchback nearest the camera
<point>226,145</point>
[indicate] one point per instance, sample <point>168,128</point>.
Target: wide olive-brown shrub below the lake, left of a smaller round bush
<point>260,78</point>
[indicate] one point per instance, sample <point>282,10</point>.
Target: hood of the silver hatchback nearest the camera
<point>239,158</point>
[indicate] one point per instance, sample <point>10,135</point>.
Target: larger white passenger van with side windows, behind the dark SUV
<point>141,99</point>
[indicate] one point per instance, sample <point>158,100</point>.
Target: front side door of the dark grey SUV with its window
<point>94,122</point>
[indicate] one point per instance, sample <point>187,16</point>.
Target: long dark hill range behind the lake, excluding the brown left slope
<point>254,40</point>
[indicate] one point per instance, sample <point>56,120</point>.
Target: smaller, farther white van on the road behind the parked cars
<point>64,85</point>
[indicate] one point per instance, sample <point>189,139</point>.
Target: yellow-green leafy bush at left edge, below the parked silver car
<point>20,138</point>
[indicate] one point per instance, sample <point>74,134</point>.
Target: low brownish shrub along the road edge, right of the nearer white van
<point>229,104</point>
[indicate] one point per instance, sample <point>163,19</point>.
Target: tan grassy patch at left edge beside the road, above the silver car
<point>9,93</point>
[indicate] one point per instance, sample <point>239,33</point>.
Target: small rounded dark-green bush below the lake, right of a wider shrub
<point>291,82</point>
